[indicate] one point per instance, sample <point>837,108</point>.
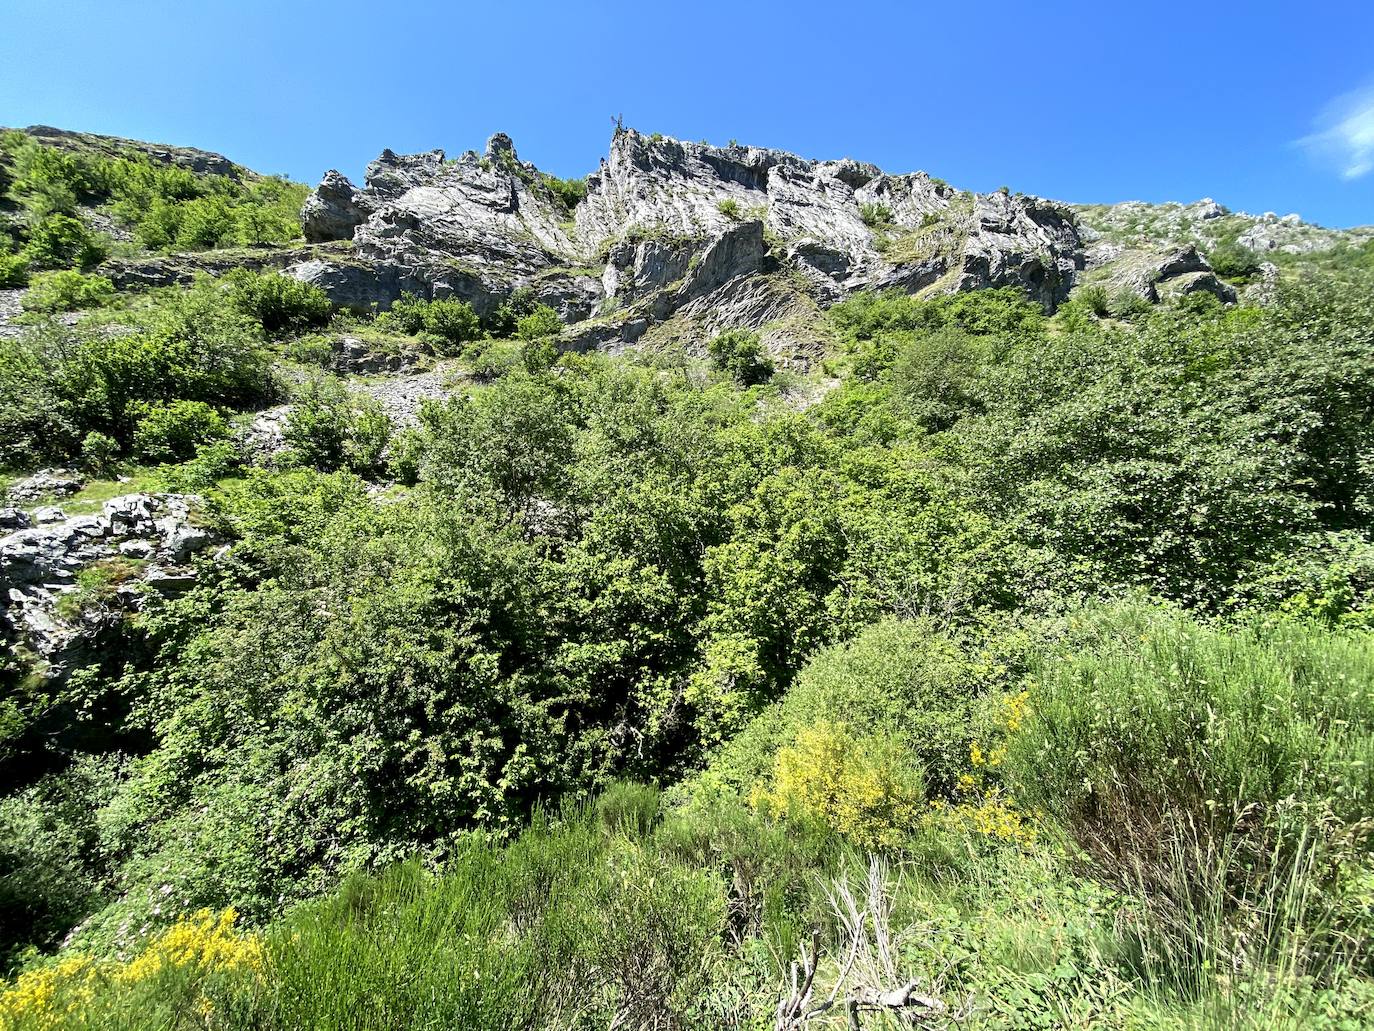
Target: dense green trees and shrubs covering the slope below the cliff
<point>1064,618</point>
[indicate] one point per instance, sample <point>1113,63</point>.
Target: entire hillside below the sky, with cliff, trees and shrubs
<point>732,592</point>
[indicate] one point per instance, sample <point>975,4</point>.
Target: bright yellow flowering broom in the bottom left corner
<point>79,986</point>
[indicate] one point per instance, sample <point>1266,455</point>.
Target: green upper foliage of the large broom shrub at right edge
<point>1153,716</point>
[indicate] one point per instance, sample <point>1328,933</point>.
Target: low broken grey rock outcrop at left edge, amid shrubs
<point>141,544</point>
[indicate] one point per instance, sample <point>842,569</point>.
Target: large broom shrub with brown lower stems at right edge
<point>1192,758</point>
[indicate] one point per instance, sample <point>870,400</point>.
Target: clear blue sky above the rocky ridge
<point>1262,105</point>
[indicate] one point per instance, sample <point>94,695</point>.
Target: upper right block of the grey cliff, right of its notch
<point>843,223</point>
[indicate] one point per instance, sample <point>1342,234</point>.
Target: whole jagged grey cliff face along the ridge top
<point>671,230</point>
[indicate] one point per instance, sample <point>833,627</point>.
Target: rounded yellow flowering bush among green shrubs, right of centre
<point>866,788</point>
